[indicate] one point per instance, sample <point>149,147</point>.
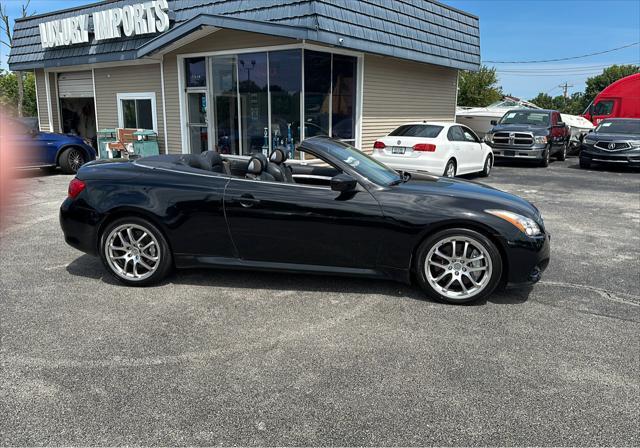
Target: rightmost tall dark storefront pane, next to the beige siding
<point>343,104</point>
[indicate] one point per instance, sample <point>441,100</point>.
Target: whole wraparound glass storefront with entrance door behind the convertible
<point>256,100</point>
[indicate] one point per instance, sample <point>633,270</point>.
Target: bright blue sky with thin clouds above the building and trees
<point>520,30</point>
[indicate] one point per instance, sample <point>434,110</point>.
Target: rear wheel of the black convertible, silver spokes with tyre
<point>135,252</point>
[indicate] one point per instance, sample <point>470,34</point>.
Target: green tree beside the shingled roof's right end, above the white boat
<point>478,89</point>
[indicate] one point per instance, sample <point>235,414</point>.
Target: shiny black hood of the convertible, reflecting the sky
<point>489,197</point>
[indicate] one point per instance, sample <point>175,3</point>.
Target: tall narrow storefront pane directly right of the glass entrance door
<point>225,95</point>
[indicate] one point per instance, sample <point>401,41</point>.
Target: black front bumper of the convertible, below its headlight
<point>527,259</point>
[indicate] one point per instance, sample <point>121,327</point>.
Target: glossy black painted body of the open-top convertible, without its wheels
<point>216,220</point>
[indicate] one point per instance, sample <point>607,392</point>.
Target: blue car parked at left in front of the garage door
<point>50,150</point>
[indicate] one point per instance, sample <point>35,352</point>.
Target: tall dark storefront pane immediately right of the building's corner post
<point>317,89</point>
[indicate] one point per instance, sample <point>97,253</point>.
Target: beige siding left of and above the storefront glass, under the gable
<point>217,41</point>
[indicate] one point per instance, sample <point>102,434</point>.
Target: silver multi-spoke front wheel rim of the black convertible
<point>458,267</point>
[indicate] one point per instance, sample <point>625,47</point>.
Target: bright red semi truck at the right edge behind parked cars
<point>621,99</point>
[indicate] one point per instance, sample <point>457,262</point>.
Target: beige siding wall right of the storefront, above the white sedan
<point>397,91</point>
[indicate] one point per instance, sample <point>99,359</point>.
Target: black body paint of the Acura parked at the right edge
<point>589,153</point>
